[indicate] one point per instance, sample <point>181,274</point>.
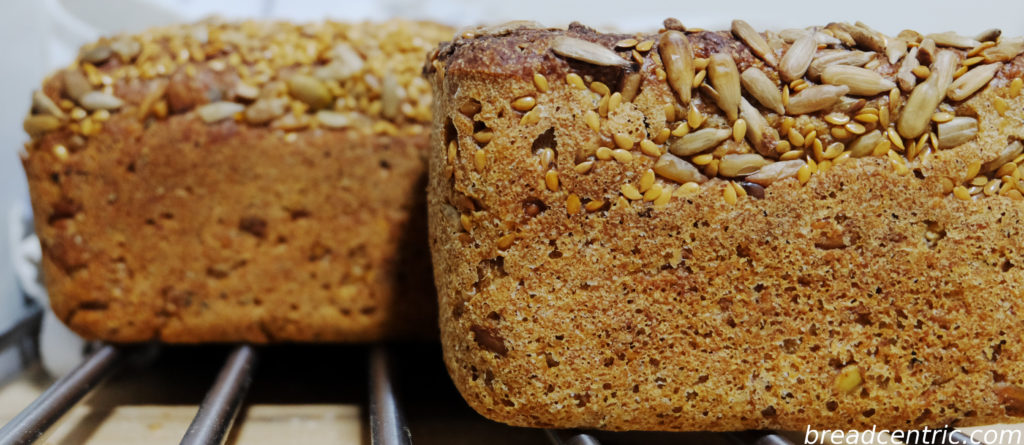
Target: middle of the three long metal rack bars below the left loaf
<point>222,404</point>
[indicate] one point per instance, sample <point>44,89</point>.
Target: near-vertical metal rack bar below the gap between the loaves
<point>388,425</point>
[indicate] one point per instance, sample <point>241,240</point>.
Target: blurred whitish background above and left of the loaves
<point>39,36</point>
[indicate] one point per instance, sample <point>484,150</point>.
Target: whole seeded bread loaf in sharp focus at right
<point>727,231</point>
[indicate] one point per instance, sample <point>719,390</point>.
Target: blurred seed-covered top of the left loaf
<point>284,76</point>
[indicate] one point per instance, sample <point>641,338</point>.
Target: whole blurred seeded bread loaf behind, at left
<point>222,183</point>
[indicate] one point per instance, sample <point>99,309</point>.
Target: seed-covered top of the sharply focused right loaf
<point>851,99</point>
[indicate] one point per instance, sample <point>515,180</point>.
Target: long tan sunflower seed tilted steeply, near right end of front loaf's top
<point>917,115</point>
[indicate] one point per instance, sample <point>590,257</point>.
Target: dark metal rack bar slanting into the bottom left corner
<point>30,425</point>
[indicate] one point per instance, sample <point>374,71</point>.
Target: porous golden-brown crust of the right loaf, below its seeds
<point>697,314</point>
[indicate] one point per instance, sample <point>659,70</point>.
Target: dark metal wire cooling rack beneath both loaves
<point>220,409</point>
